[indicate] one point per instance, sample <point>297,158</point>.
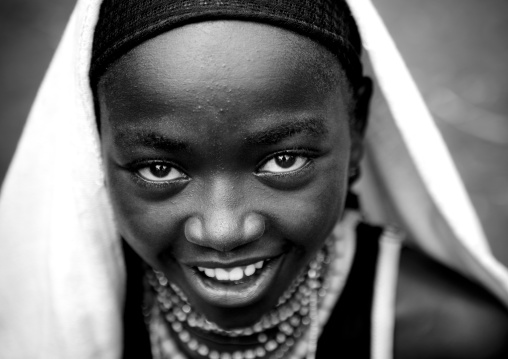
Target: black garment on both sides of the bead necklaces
<point>346,335</point>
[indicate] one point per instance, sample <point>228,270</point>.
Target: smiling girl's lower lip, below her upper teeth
<point>233,294</point>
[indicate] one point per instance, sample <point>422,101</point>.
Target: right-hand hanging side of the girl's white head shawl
<point>414,169</point>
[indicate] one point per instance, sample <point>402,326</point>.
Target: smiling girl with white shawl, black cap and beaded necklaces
<point>224,138</point>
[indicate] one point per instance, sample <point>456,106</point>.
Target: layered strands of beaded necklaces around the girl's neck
<point>291,329</point>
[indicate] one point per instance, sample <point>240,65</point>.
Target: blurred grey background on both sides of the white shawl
<point>457,51</point>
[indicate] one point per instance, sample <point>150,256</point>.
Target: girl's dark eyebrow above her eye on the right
<point>313,127</point>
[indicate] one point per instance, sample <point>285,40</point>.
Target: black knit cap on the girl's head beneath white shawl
<point>124,24</point>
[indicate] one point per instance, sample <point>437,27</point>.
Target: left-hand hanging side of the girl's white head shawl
<point>62,275</point>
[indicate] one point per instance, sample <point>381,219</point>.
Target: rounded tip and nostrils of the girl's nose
<point>224,230</point>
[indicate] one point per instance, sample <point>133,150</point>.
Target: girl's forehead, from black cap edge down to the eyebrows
<point>227,78</point>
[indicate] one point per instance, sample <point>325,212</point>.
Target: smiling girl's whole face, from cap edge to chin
<point>226,148</point>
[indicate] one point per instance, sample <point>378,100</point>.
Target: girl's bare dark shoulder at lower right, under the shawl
<point>441,314</point>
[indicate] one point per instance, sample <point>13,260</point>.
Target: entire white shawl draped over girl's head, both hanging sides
<point>63,275</point>
